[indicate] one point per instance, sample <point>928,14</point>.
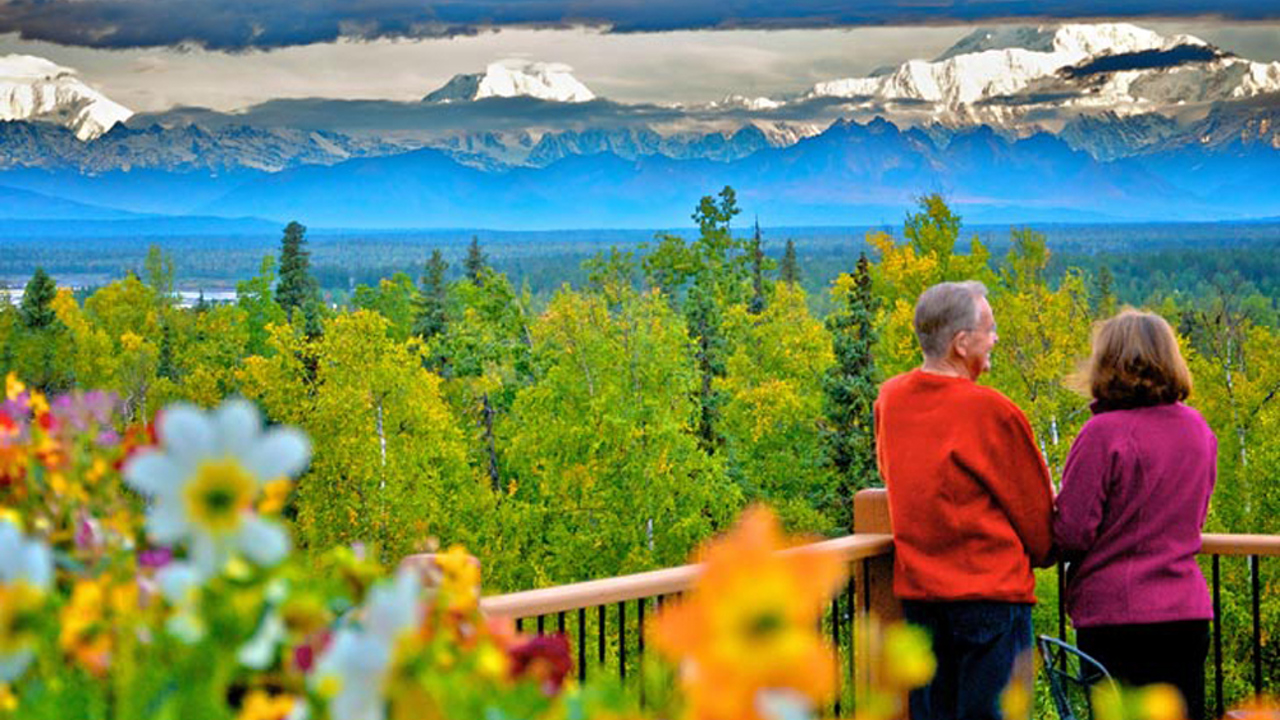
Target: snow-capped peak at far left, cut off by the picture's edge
<point>34,89</point>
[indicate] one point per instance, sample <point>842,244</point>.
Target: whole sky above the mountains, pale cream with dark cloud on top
<point>234,54</point>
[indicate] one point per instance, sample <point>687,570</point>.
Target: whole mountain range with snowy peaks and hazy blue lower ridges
<point>1087,122</point>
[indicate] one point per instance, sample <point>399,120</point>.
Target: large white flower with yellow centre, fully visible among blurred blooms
<point>205,479</point>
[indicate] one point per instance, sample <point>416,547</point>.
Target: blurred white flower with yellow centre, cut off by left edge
<point>26,576</point>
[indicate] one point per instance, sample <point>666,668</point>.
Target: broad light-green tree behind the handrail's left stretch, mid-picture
<point>605,477</point>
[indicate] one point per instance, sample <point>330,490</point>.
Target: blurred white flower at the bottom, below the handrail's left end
<point>354,669</point>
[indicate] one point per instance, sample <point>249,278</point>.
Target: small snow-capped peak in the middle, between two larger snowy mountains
<point>515,79</point>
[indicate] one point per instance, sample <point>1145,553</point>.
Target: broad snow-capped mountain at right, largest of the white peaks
<point>1003,78</point>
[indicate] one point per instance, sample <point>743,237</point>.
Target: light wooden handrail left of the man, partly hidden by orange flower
<point>657,582</point>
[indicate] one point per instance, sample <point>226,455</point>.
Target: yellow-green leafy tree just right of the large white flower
<point>390,466</point>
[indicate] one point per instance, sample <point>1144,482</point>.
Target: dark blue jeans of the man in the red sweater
<point>976,644</point>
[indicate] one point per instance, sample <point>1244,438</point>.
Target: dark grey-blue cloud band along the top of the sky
<point>243,25</point>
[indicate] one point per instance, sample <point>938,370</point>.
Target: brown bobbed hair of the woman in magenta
<point>1136,363</point>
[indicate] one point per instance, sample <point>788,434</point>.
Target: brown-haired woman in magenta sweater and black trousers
<point>1135,495</point>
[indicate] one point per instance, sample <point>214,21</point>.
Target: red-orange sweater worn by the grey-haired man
<point>970,495</point>
